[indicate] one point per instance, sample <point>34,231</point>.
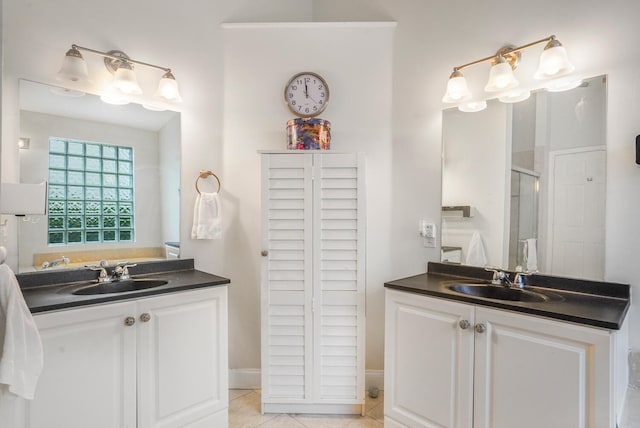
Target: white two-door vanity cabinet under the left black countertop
<point>153,362</point>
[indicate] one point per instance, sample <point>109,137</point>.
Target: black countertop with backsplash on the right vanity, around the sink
<point>593,303</point>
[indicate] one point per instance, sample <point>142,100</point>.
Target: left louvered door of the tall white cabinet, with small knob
<point>287,284</point>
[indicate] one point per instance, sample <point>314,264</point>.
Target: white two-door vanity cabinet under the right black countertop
<point>450,364</point>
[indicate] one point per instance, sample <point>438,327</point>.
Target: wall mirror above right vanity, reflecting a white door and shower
<point>523,185</point>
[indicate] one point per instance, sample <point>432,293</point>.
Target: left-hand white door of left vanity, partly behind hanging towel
<point>89,375</point>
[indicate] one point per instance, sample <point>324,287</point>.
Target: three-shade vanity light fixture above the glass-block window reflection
<point>125,82</point>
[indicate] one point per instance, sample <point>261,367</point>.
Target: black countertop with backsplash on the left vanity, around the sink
<point>47,291</point>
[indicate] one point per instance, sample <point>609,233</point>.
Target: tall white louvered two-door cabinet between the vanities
<point>313,288</point>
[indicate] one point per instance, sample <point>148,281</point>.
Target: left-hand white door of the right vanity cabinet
<point>428,362</point>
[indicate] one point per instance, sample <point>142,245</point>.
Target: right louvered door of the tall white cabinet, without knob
<point>339,295</point>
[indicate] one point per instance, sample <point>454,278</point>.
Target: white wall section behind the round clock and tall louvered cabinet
<point>355,60</point>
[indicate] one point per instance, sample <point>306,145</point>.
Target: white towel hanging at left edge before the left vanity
<point>21,358</point>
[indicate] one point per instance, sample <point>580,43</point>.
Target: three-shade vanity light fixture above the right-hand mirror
<point>553,63</point>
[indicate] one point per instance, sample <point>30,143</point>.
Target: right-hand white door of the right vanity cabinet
<point>533,372</point>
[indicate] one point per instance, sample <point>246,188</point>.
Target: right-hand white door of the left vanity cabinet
<point>182,359</point>
